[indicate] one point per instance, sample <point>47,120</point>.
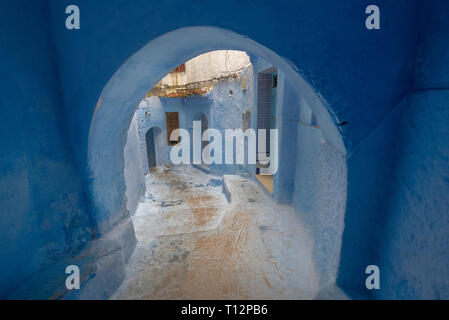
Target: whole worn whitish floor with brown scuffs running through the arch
<point>192,244</point>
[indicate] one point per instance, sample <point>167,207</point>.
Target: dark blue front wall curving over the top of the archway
<point>349,67</point>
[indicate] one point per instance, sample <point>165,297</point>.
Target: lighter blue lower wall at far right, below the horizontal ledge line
<point>415,245</point>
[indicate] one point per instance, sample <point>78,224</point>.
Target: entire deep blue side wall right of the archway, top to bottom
<point>398,219</point>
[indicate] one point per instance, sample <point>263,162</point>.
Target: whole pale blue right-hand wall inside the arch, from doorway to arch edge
<point>311,175</point>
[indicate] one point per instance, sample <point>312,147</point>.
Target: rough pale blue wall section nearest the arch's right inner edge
<point>320,194</point>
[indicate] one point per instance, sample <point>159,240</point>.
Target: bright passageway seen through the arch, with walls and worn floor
<point>218,220</point>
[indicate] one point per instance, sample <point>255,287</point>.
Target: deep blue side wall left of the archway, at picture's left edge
<point>43,213</point>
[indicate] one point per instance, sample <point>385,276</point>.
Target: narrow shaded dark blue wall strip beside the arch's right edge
<point>370,168</point>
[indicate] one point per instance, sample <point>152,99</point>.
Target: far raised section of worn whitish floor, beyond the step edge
<point>179,201</point>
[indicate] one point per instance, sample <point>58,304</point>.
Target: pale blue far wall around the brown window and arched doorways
<point>221,109</point>
